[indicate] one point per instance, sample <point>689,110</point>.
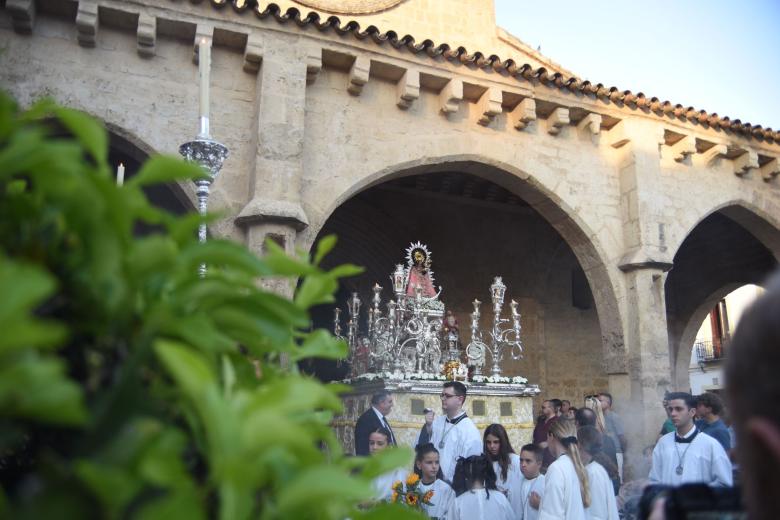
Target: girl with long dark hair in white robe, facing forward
<point>506,465</point>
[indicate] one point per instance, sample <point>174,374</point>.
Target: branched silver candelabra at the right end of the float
<point>501,338</point>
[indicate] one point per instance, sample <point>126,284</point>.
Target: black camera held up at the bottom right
<point>693,501</point>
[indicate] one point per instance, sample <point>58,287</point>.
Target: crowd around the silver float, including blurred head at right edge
<point>574,468</point>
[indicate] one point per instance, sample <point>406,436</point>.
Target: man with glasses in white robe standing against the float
<point>454,434</point>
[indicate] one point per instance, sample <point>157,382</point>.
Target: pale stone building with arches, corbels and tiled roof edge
<point>616,219</point>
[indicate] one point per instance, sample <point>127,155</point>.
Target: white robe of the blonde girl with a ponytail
<point>562,497</point>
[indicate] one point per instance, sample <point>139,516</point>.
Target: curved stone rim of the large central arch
<point>564,219</point>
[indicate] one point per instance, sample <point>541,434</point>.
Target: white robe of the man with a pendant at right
<point>705,461</point>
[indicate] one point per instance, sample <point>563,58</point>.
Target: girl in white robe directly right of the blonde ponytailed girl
<point>603,505</point>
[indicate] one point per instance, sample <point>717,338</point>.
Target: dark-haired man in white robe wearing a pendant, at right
<point>686,455</point>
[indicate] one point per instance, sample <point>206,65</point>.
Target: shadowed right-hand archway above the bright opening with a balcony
<point>730,247</point>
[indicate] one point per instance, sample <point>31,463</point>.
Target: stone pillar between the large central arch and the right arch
<point>636,146</point>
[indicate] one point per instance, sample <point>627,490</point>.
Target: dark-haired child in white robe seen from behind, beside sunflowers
<point>477,496</point>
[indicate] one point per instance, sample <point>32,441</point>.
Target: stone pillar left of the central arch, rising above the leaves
<point>274,208</point>
